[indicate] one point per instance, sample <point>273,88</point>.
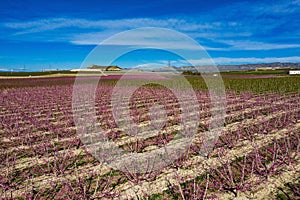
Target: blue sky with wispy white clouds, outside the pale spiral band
<point>39,35</point>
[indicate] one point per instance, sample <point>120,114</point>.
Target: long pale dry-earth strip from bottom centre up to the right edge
<point>157,186</point>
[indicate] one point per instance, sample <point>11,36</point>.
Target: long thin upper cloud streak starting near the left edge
<point>119,24</point>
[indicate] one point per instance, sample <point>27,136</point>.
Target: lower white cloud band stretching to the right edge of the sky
<point>138,39</point>
